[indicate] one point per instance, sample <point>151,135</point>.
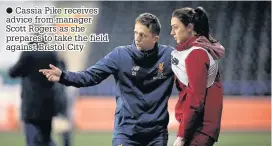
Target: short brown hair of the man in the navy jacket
<point>150,21</point>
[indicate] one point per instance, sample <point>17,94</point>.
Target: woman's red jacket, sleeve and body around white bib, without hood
<point>199,108</point>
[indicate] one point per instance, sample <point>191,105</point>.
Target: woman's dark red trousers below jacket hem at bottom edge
<point>200,139</point>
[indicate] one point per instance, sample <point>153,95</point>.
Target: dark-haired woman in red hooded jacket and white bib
<point>195,64</point>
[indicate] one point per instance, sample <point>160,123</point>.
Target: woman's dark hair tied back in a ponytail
<point>198,17</point>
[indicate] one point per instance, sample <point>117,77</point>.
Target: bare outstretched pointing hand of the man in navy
<point>52,74</point>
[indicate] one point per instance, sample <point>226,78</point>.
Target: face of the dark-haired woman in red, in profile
<point>179,31</point>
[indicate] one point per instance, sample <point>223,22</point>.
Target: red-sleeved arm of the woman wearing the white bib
<point>197,64</point>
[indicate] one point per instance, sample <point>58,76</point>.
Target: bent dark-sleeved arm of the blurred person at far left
<point>20,68</point>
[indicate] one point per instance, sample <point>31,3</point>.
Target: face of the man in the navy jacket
<point>144,39</point>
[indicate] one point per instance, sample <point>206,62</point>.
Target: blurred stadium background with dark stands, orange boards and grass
<point>244,29</point>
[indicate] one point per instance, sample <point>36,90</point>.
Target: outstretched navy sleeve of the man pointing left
<point>94,74</point>
